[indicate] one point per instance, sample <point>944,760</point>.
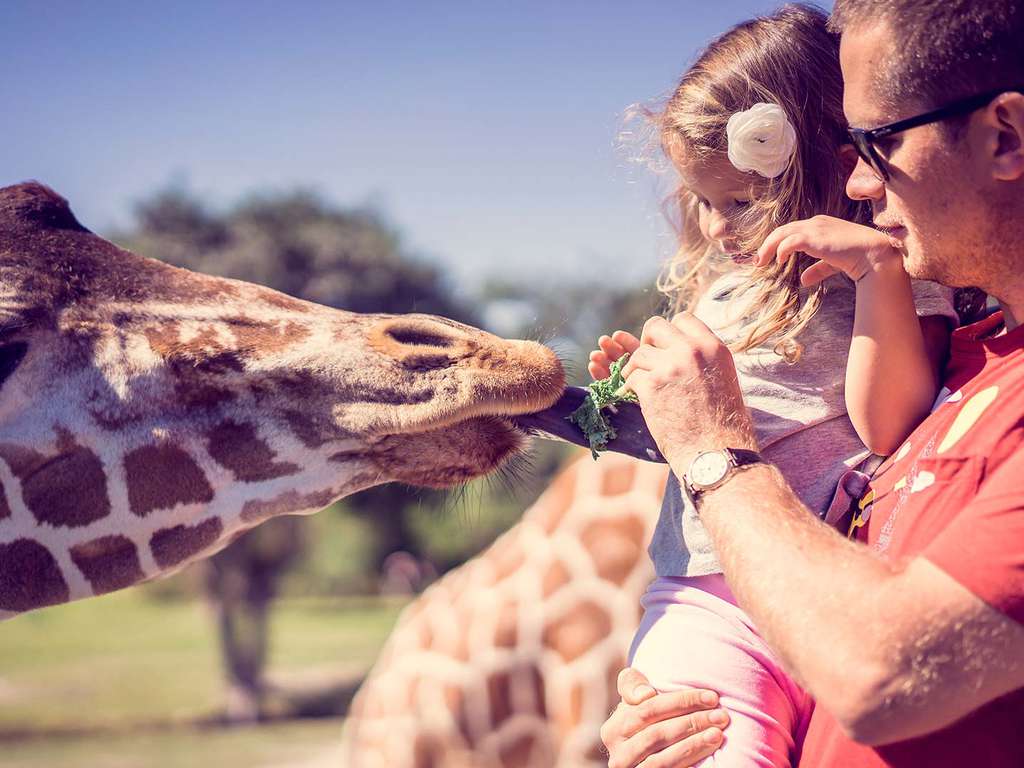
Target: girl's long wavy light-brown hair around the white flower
<point>792,60</point>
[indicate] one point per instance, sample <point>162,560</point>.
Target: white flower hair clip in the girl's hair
<point>761,140</point>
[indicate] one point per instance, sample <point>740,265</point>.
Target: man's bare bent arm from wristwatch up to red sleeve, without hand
<point>892,653</point>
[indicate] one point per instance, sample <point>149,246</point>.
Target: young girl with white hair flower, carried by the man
<point>831,372</point>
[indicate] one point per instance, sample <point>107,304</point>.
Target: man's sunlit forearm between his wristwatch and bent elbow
<point>814,595</point>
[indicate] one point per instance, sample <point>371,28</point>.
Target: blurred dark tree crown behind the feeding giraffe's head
<point>298,244</point>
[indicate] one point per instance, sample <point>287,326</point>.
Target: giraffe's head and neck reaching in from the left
<point>150,415</point>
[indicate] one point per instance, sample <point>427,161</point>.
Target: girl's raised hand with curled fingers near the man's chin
<point>841,247</point>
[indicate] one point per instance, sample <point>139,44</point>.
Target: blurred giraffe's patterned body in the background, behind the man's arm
<point>510,661</point>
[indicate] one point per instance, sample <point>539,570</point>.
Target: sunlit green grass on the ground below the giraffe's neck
<point>132,664</point>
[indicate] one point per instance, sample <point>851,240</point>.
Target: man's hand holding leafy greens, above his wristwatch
<point>686,380</point>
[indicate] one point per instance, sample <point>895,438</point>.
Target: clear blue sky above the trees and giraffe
<point>485,132</point>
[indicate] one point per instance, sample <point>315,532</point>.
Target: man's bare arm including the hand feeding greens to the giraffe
<point>891,652</point>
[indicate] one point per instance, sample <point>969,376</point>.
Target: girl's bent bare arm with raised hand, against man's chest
<point>895,359</point>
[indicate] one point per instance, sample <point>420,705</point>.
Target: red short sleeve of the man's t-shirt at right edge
<point>984,547</point>
